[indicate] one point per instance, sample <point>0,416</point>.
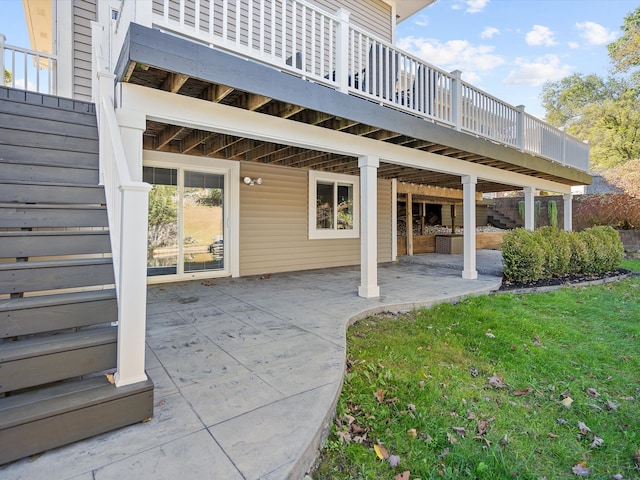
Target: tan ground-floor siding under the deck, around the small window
<point>274,225</point>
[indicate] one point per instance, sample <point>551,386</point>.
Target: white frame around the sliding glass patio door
<point>232,214</point>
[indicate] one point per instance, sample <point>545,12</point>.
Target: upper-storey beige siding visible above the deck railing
<point>371,15</point>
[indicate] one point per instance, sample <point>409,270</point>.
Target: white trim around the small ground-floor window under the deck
<point>314,178</point>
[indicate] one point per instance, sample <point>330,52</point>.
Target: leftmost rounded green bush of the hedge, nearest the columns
<point>523,256</point>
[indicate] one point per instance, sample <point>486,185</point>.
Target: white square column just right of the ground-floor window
<point>369,227</point>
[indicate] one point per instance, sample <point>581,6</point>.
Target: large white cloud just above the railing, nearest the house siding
<point>454,55</point>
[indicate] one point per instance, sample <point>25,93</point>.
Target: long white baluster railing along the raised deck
<point>300,38</point>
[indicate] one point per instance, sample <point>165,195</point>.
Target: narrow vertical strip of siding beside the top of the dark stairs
<point>84,12</point>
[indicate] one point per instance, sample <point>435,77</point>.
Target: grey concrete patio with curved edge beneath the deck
<point>247,372</point>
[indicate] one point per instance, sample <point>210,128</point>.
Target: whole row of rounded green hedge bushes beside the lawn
<point>549,252</point>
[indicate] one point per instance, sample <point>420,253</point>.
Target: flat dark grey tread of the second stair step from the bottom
<point>51,344</point>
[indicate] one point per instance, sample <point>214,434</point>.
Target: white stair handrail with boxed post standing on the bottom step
<point>127,209</point>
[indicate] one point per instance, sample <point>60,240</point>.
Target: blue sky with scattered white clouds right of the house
<point>509,48</point>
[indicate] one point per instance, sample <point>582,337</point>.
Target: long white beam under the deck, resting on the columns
<point>190,112</point>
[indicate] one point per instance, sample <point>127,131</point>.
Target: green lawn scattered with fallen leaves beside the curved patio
<point>500,387</point>
